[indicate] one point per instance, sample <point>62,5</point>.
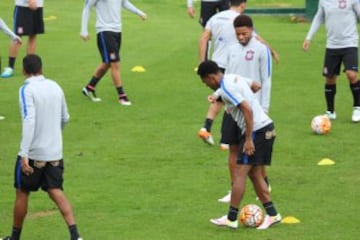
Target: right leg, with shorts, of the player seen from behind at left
<point>52,183</point>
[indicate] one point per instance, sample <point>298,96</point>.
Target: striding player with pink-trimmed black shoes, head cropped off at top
<point>108,28</point>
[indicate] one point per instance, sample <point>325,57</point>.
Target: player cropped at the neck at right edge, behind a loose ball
<point>342,39</point>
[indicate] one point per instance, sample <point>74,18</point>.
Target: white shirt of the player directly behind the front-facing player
<point>222,34</point>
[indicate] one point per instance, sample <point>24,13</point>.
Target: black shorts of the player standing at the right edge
<point>334,58</point>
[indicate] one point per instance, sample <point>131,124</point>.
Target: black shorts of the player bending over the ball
<point>263,140</point>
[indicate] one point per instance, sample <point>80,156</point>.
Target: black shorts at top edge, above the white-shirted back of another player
<point>209,9</point>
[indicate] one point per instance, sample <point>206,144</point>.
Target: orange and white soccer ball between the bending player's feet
<point>251,215</point>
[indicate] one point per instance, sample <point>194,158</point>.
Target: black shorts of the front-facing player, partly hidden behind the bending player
<point>230,131</point>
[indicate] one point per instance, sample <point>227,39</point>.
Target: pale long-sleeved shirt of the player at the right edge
<point>340,18</point>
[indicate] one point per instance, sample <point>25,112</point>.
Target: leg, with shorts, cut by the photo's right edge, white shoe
<point>351,69</point>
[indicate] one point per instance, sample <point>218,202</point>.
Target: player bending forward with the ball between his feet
<point>256,142</point>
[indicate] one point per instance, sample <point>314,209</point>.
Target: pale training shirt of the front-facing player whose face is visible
<point>252,60</point>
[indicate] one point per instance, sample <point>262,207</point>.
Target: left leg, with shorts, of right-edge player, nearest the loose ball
<point>332,64</point>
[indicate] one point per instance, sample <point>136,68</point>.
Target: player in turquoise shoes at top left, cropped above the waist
<point>28,21</point>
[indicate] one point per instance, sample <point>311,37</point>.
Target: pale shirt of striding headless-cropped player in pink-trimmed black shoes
<point>108,15</point>
